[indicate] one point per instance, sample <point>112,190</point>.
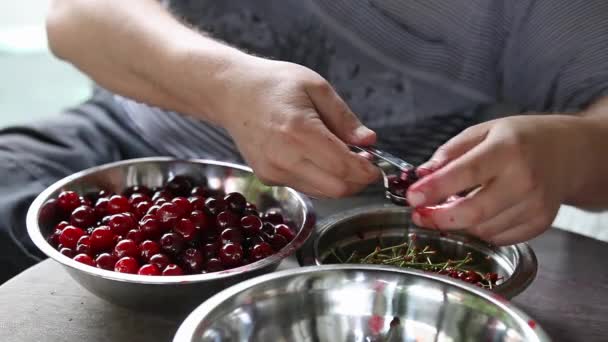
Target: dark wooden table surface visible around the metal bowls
<point>568,298</point>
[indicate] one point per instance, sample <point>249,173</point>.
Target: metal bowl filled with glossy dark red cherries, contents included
<point>164,234</point>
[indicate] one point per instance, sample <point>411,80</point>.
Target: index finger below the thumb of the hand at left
<point>325,150</point>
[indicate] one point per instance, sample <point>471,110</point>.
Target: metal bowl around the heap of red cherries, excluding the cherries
<point>177,293</point>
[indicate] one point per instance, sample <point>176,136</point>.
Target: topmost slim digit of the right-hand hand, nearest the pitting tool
<point>455,147</point>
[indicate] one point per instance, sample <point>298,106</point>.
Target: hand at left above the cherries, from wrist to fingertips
<point>292,128</point>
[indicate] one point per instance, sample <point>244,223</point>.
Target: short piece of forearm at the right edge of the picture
<point>592,193</point>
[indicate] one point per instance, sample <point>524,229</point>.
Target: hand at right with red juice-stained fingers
<point>525,166</point>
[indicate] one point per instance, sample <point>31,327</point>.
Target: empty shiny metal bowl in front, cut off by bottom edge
<point>356,303</point>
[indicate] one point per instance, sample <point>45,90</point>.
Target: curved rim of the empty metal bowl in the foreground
<point>188,328</point>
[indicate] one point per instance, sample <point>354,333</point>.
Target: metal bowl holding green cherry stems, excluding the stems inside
<point>360,229</point>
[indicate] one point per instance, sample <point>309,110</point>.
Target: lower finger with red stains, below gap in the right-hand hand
<point>491,200</point>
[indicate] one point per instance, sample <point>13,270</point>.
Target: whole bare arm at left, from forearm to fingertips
<point>287,121</point>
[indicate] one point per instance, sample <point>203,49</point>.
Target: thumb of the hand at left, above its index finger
<point>337,116</point>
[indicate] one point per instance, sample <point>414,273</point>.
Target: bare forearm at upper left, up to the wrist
<point>139,50</point>
